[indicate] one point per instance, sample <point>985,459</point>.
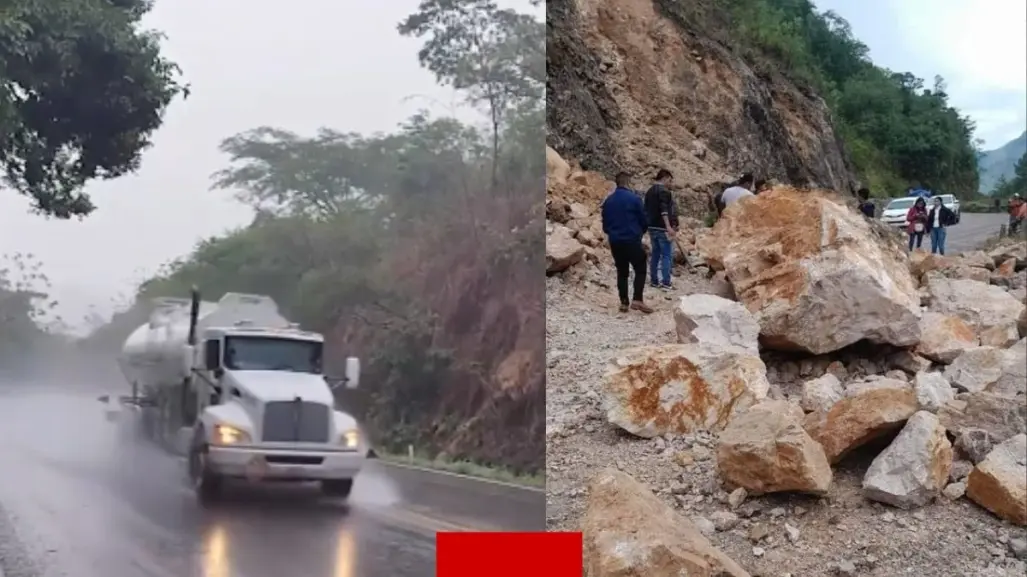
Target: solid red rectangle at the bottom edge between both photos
<point>508,555</point>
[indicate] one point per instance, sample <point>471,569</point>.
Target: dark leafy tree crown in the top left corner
<point>84,89</point>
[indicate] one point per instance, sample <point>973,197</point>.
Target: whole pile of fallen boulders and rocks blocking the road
<point>942,408</point>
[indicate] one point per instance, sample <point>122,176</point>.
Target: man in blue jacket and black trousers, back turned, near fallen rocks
<point>625,223</point>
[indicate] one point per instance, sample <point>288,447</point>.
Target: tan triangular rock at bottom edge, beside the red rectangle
<point>628,532</point>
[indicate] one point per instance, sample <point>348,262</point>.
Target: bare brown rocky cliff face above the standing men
<point>639,85</point>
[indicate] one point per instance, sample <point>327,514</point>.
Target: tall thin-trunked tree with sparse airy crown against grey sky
<point>497,57</point>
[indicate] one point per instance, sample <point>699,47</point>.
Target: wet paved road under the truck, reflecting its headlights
<point>80,501</point>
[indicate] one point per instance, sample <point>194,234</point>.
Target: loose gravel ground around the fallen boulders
<point>771,536</point>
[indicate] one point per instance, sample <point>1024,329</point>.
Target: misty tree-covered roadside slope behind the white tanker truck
<point>417,250</point>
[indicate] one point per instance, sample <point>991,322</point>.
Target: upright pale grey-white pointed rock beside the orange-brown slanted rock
<point>916,467</point>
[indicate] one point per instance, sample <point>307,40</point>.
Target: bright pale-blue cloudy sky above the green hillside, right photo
<point>979,47</point>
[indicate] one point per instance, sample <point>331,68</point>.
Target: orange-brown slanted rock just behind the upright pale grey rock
<point>857,420</point>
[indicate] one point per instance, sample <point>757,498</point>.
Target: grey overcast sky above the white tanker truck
<point>297,66</point>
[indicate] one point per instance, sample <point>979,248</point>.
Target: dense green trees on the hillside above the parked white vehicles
<point>899,133</point>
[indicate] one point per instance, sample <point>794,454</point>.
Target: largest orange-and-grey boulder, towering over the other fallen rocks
<point>817,276</point>
